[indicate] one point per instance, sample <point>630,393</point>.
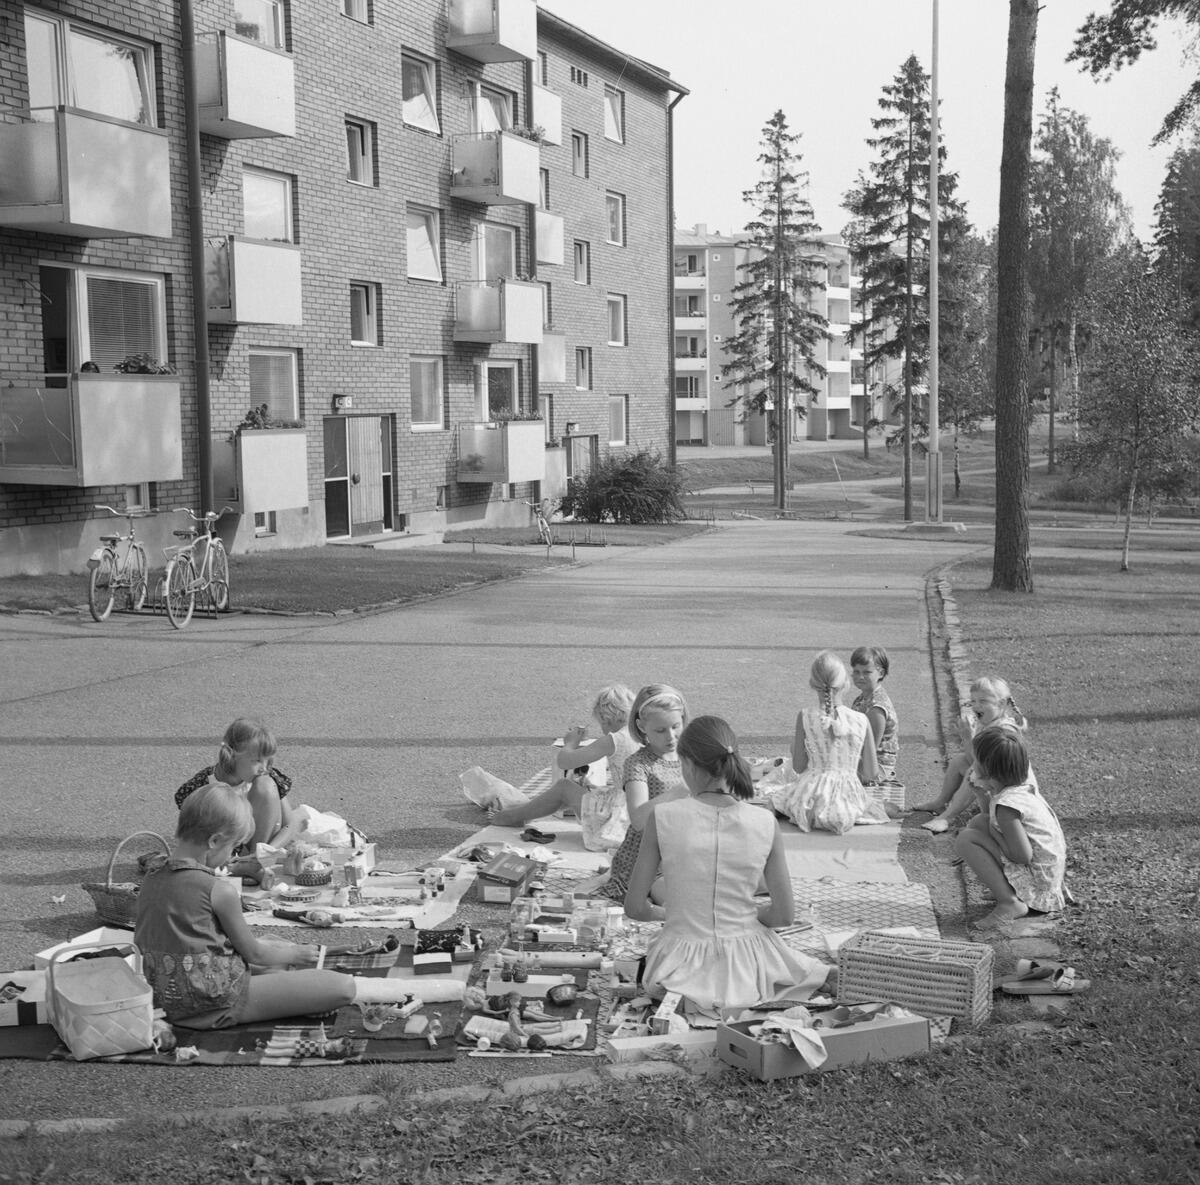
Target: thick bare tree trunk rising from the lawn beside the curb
<point>1012,568</point>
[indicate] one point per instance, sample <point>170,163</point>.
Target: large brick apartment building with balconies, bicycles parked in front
<point>435,243</point>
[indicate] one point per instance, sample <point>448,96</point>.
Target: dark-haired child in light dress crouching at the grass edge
<point>1016,847</point>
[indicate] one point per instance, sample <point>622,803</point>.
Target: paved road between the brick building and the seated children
<point>377,715</point>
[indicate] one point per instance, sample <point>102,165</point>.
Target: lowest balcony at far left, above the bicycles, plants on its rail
<point>98,430</point>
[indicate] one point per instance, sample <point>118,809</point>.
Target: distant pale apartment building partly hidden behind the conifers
<point>707,267</point>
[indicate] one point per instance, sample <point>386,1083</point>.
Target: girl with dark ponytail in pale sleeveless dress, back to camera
<point>717,948</point>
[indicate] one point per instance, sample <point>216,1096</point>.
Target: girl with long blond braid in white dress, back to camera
<point>831,742</point>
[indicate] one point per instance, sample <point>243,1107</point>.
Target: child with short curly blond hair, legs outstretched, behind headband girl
<point>591,786</point>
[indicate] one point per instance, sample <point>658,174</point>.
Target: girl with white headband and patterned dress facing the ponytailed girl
<point>657,720</point>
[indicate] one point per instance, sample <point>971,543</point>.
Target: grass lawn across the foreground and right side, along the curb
<point>1103,1093</point>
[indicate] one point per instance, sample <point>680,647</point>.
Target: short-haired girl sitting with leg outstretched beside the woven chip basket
<point>205,964</point>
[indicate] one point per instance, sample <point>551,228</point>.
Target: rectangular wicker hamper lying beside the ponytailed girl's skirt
<point>928,976</point>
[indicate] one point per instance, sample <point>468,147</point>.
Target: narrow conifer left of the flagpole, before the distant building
<point>772,356</point>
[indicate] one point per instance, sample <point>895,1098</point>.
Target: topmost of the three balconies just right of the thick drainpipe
<point>247,91</point>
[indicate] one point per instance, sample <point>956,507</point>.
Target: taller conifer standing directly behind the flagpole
<point>891,232</point>
